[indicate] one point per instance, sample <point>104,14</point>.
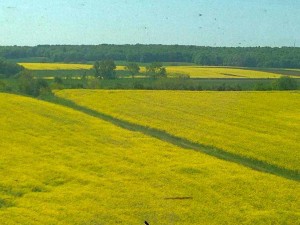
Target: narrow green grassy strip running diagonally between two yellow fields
<point>182,142</point>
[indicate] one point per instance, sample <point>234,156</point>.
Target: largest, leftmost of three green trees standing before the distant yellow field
<point>105,69</point>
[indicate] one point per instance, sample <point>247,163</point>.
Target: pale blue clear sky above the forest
<point>189,22</point>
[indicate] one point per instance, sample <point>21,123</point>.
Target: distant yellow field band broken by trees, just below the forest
<point>192,71</point>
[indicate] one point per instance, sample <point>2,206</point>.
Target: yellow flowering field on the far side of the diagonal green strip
<point>260,125</point>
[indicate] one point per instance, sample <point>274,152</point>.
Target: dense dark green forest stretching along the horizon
<point>284,57</point>
